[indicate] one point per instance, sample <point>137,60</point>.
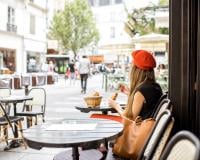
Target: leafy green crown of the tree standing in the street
<point>74,27</point>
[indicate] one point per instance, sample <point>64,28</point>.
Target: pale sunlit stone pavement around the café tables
<point>61,99</point>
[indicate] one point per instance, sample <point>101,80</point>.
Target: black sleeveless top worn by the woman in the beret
<point>151,92</point>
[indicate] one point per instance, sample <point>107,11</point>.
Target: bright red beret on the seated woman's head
<point>143,59</point>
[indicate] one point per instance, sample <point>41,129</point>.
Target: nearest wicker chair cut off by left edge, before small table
<point>7,124</point>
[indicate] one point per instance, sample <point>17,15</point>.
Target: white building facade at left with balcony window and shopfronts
<point>23,41</point>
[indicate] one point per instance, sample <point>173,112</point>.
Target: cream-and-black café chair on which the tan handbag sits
<point>156,141</point>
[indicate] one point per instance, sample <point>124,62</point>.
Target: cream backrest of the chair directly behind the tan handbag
<point>159,135</point>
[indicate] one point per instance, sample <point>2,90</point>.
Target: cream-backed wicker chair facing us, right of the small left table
<point>36,107</point>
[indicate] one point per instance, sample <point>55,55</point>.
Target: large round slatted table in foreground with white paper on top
<point>72,133</point>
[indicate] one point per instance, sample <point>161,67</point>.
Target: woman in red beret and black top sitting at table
<point>144,92</point>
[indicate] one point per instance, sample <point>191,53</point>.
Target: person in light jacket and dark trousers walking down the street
<point>84,70</point>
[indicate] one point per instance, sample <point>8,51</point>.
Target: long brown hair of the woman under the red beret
<point>137,77</point>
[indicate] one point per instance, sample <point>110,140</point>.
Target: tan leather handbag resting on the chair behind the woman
<point>133,137</point>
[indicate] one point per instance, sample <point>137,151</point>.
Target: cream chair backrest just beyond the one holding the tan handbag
<point>163,105</point>
